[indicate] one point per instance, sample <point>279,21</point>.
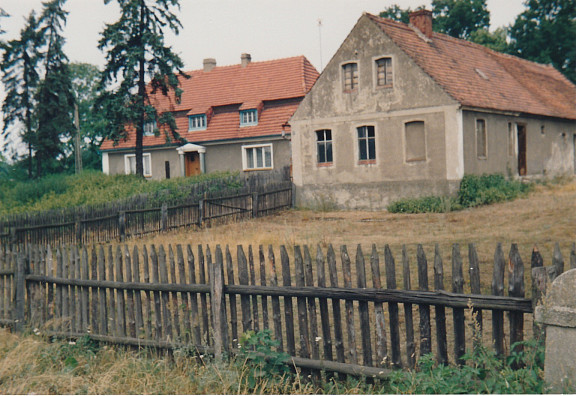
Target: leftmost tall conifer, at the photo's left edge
<point>20,77</point>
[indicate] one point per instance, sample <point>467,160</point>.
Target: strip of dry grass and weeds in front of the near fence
<point>33,364</point>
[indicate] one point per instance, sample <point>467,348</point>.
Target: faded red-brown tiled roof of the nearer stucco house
<point>478,77</point>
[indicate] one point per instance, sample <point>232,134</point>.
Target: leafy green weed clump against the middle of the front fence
<point>260,359</point>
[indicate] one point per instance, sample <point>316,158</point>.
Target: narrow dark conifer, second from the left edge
<point>55,95</point>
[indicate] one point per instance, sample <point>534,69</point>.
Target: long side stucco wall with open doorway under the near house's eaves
<point>549,145</point>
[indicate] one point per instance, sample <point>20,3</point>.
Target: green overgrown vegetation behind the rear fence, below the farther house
<point>89,188</point>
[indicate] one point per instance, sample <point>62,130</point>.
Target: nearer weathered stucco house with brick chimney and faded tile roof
<point>402,111</point>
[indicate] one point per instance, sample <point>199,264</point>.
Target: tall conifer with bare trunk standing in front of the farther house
<point>135,50</point>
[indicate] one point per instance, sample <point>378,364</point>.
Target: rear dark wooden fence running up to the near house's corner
<point>118,223</point>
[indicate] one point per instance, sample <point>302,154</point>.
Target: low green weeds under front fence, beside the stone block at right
<point>483,372</point>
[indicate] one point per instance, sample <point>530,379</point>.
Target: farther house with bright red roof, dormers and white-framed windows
<point>228,118</point>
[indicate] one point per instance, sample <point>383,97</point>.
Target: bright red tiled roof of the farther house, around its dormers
<point>274,87</point>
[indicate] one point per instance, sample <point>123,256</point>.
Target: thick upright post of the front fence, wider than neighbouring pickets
<point>218,303</point>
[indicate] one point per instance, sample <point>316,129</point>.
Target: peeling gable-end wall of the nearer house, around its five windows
<point>414,96</point>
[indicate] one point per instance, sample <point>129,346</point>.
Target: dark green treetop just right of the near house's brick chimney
<point>460,18</point>
